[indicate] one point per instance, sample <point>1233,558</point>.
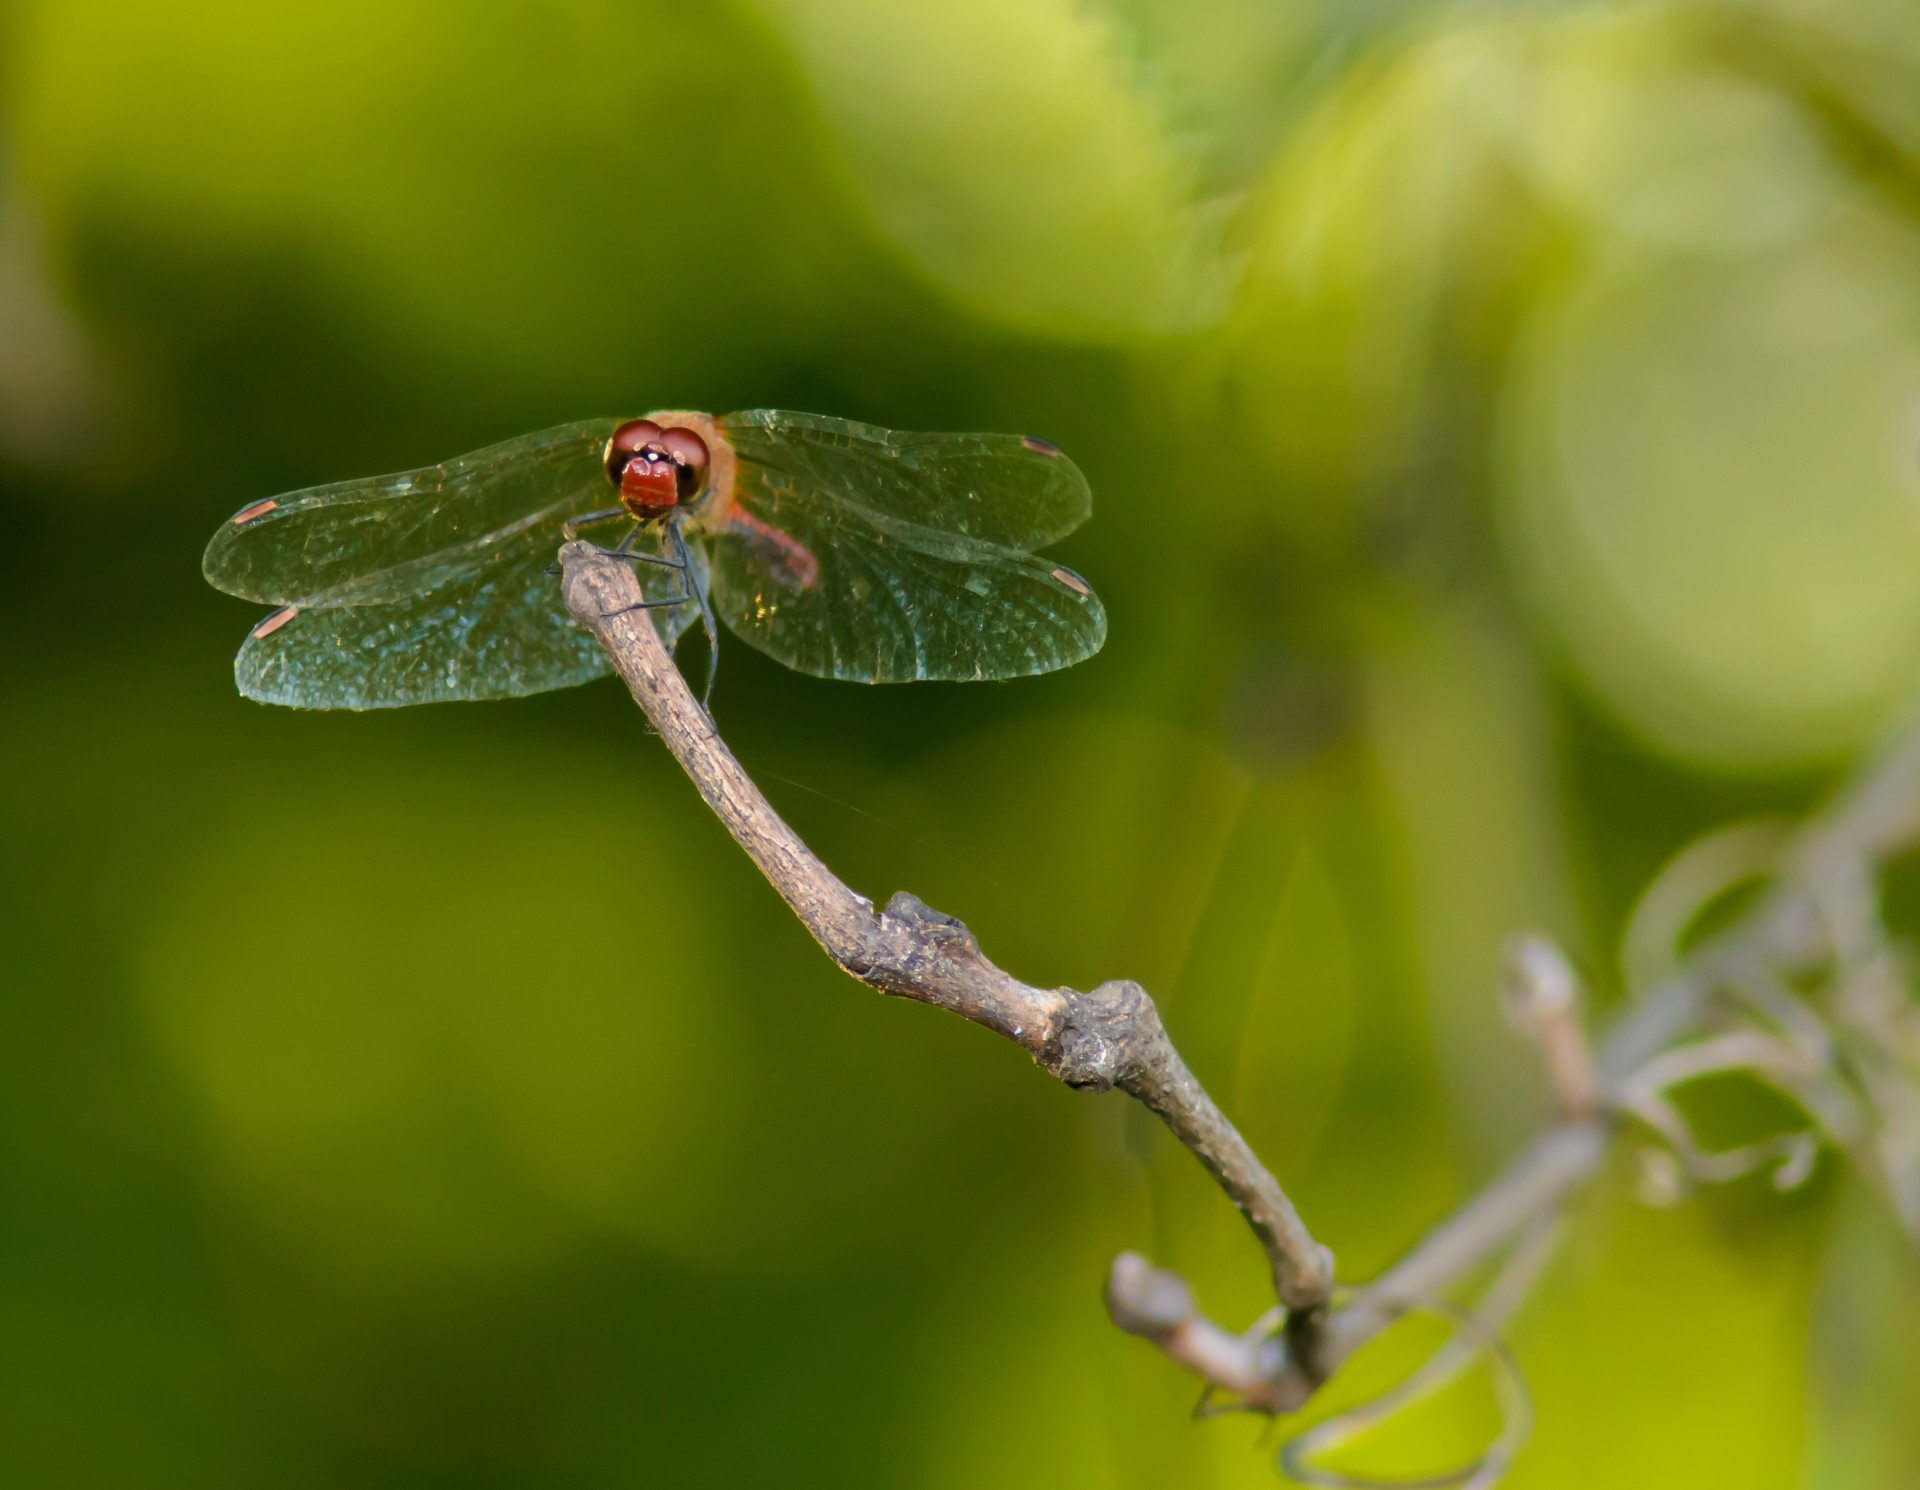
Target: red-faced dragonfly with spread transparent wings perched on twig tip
<point>838,548</point>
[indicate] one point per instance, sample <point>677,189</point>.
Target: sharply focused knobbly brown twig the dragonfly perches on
<point>1105,1038</point>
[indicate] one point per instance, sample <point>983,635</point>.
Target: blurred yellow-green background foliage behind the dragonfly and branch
<point>1506,439</point>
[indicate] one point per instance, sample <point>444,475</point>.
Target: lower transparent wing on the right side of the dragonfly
<point>832,589</point>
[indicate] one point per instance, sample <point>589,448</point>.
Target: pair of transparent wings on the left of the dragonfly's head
<point>423,587</point>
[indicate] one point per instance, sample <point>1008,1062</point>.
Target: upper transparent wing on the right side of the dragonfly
<point>1001,489</point>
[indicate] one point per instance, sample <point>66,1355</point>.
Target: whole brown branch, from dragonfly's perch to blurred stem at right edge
<point>1113,1036</point>
